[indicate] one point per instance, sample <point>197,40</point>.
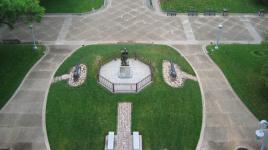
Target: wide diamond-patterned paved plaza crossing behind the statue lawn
<point>133,21</point>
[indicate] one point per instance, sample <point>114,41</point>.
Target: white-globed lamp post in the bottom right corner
<point>262,133</point>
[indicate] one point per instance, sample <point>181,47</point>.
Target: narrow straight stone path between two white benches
<point>124,140</point>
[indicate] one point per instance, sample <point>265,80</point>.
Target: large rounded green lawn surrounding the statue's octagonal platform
<point>80,118</point>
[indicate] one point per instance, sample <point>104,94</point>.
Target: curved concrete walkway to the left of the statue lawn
<point>22,119</point>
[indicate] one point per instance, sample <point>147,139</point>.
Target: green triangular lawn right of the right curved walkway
<point>242,65</point>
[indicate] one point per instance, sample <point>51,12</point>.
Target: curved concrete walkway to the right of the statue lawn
<point>227,123</point>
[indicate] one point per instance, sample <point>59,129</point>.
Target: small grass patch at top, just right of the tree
<point>70,6</point>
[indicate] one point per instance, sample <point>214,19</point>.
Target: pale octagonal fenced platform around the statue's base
<point>140,76</point>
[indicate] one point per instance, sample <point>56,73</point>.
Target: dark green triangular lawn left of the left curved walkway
<point>15,62</point>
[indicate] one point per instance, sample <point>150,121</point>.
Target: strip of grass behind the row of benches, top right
<point>241,6</point>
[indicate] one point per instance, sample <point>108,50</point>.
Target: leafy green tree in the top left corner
<point>14,10</point>
